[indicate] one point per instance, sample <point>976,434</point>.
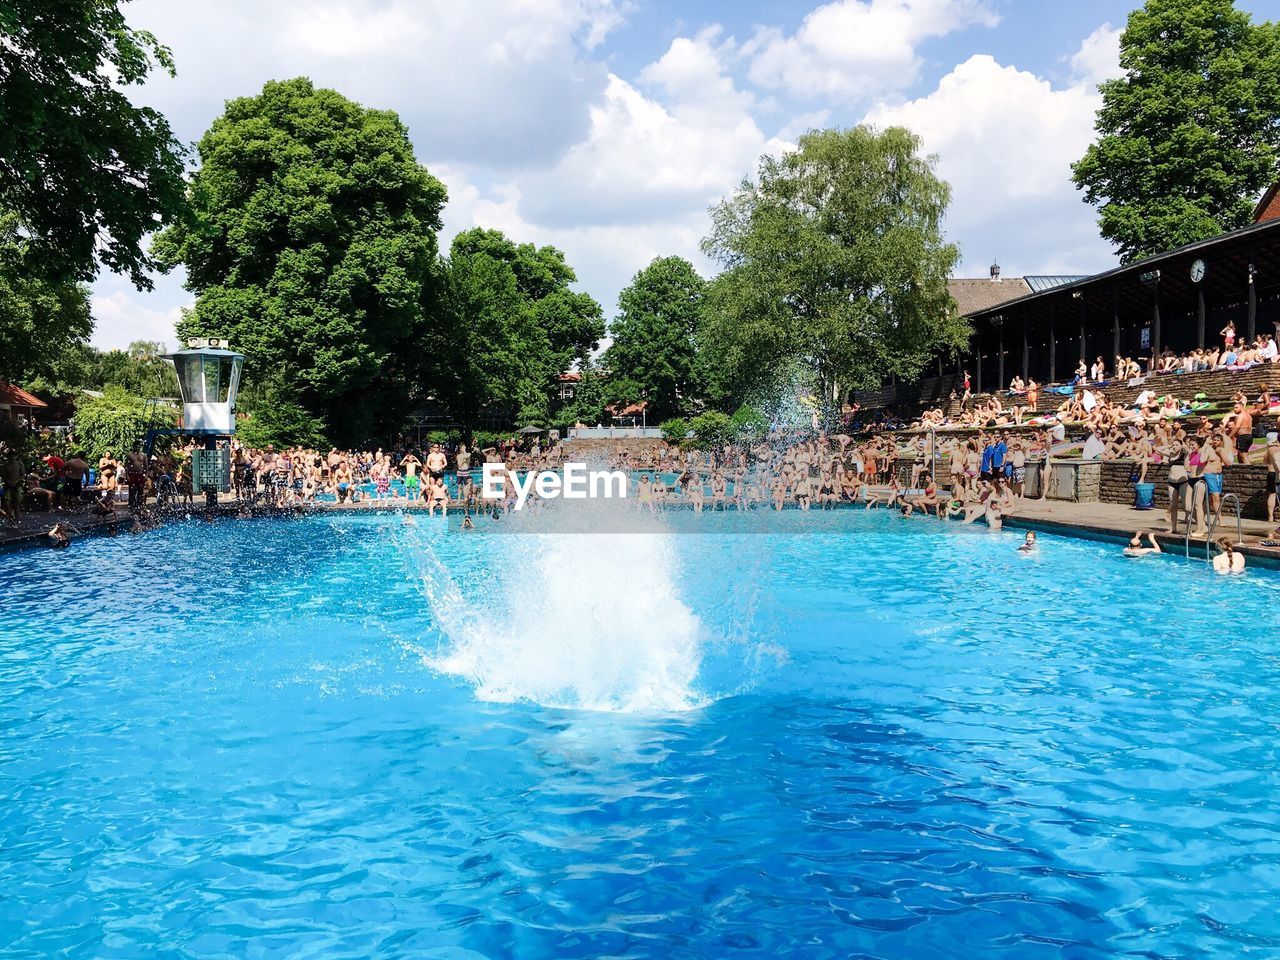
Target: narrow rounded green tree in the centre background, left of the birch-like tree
<point>653,354</point>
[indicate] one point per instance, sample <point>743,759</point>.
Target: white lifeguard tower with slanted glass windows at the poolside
<point>209,380</point>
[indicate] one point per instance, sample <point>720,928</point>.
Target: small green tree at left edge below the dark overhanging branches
<point>40,318</point>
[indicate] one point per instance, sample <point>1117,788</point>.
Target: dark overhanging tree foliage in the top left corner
<point>88,172</point>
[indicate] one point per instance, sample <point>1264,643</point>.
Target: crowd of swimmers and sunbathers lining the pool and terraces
<point>982,476</point>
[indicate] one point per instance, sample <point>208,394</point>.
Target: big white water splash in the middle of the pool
<point>586,621</point>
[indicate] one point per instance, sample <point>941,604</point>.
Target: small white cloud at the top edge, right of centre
<point>858,48</point>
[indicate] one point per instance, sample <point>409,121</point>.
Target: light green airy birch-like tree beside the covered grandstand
<point>834,258</point>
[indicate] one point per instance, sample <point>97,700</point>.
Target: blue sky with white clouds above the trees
<point>607,127</point>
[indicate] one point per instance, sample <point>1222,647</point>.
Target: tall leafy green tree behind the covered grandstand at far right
<point>1191,135</point>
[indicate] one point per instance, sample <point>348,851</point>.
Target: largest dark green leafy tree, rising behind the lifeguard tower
<point>312,246</point>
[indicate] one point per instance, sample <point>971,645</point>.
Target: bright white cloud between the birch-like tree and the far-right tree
<point>1005,141</point>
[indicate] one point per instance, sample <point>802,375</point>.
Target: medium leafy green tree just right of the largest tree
<point>516,326</point>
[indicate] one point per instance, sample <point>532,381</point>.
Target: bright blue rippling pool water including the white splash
<point>822,737</point>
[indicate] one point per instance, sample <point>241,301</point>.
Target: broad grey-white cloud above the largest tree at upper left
<point>496,83</point>
